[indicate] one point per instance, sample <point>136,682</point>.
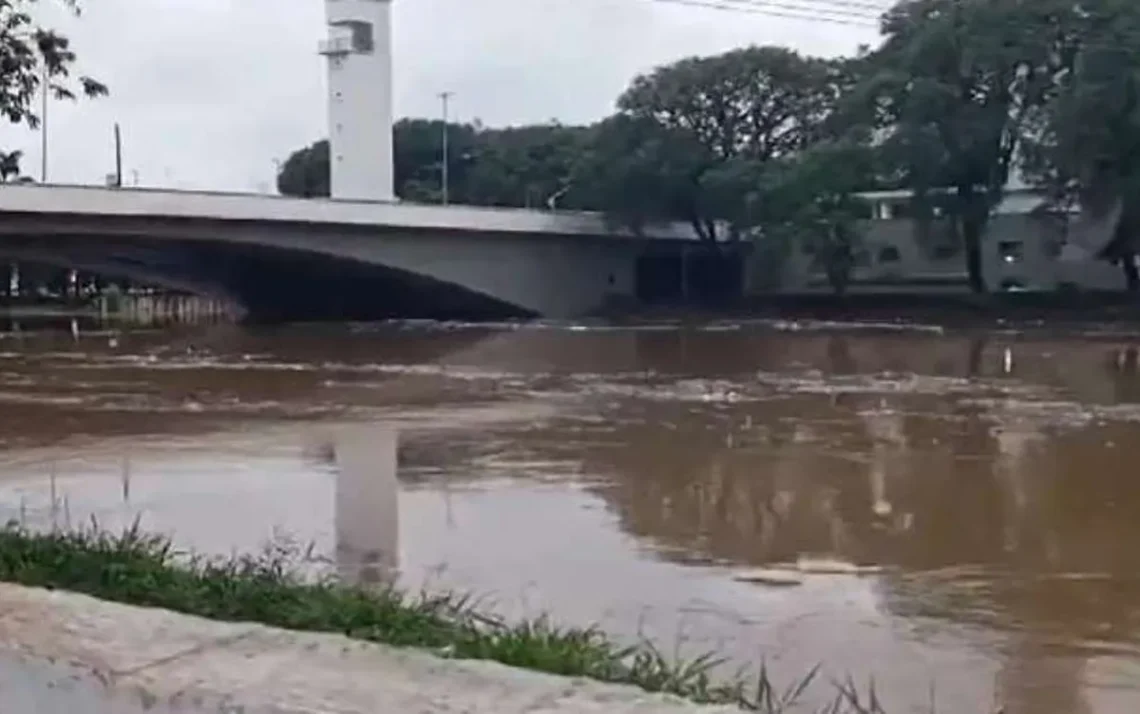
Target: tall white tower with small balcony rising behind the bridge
<point>360,51</point>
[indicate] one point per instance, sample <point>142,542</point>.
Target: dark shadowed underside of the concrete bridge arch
<point>272,285</point>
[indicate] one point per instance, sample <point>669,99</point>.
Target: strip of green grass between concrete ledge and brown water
<point>144,570</point>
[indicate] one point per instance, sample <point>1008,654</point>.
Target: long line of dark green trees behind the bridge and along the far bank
<point>769,145</point>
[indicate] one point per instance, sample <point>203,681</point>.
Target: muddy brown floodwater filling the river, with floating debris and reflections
<point>979,492</point>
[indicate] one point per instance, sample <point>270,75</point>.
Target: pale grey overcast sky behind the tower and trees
<point>210,93</point>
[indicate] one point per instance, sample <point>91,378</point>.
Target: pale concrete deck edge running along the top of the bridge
<point>161,204</point>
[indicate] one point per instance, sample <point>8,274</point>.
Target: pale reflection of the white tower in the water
<point>368,505</point>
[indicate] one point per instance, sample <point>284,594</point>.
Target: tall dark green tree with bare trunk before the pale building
<point>952,92</point>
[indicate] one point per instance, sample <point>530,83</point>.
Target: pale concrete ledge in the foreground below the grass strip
<point>63,653</point>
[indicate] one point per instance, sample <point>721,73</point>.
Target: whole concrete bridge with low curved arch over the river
<point>317,259</point>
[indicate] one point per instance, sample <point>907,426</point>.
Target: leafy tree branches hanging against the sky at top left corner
<point>29,54</point>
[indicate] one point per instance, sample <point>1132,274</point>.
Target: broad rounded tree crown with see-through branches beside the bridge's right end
<point>688,136</point>
